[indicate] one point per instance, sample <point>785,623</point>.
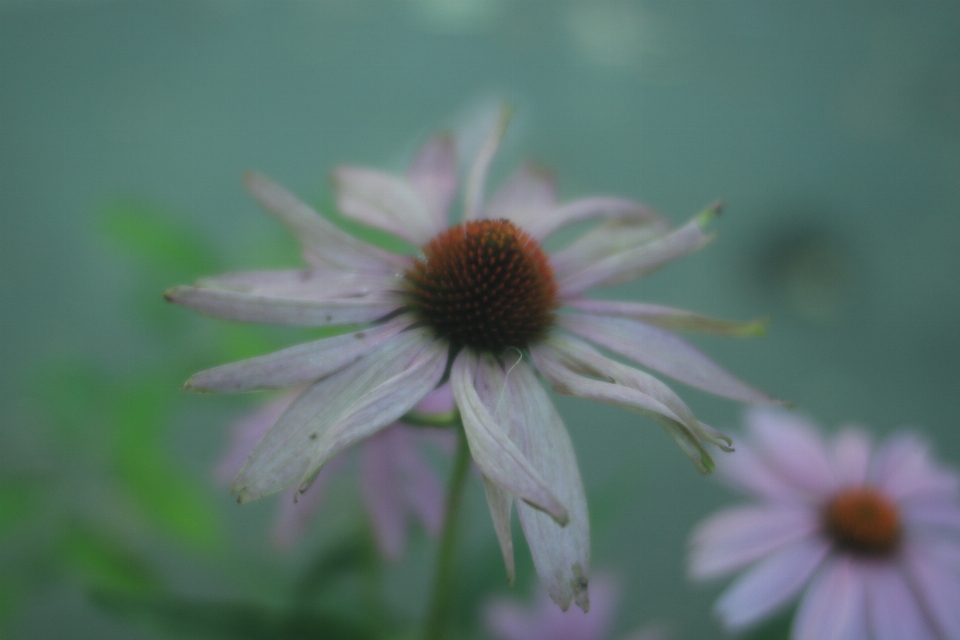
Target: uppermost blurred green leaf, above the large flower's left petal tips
<point>156,239</point>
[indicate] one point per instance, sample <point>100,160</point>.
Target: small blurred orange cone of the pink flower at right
<point>863,521</point>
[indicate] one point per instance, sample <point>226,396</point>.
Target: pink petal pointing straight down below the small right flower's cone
<point>834,607</point>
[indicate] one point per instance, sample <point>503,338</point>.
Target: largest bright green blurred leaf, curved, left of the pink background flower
<point>167,495</point>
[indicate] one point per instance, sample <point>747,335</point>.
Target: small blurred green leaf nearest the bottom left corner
<point>103,562</point>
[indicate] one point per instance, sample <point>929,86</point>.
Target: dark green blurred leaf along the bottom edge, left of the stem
<point>229,620</point>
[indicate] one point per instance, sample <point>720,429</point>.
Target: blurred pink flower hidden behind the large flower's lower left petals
<point>397,482</point>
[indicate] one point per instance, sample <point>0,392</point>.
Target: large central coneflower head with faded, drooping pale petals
<point>483,305</point>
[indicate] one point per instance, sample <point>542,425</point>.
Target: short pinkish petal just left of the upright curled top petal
<point>433,175</point>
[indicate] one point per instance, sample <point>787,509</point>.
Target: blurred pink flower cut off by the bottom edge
<point>508,620</point>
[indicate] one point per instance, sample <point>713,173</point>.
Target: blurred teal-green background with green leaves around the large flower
<point>832,129</point>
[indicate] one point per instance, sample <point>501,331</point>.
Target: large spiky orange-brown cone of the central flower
<point>484,284</point>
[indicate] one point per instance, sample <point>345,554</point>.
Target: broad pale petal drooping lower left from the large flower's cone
<point>342,409</point>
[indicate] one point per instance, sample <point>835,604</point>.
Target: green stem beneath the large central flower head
<point>441,599</point>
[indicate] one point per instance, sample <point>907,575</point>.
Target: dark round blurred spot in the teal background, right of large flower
<point>808,267</point>
